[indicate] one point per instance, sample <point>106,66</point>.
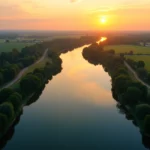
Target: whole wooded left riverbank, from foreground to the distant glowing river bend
<point>15,99</point>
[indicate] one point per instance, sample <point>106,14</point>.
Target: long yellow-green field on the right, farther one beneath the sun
<point>127,48</point>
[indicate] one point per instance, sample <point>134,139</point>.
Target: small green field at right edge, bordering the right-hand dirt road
<point>146,59</point>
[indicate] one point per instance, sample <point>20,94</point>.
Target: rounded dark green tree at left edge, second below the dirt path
<point>7,109</point>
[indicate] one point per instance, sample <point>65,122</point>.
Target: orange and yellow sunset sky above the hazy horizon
<point>74,14</point>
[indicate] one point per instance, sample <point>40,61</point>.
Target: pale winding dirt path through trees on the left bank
<point>23,71</point>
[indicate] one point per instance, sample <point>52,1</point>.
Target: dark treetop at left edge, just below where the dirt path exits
<point>5,93</point>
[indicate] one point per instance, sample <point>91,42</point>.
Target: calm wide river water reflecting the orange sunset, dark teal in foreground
<point>76,111</point>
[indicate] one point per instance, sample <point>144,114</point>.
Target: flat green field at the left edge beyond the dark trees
<point>6,47</point>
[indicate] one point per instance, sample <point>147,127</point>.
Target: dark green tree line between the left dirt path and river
<point>12,100</point>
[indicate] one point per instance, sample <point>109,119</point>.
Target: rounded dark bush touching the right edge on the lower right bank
<point>142,110</point>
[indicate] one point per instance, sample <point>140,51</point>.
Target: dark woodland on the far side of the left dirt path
<point>12,62</point>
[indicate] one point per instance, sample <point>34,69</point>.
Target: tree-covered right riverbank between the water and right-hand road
<point>132,95</point>
